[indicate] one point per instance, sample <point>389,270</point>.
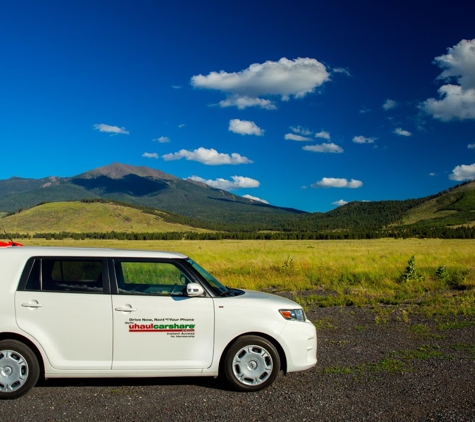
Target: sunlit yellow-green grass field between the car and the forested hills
<point>440,277</point>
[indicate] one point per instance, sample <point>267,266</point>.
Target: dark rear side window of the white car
<point>66,275</point>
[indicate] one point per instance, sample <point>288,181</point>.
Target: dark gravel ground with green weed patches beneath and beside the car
<point>373,366</point>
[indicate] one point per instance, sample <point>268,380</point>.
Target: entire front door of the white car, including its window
<point>156,326</point>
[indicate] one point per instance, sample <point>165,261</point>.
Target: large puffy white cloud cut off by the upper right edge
<point>456,100</point>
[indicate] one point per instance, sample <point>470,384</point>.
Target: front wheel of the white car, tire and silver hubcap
<point>252,363</point>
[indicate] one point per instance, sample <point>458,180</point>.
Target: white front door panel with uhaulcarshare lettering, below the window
<point>153,332</point>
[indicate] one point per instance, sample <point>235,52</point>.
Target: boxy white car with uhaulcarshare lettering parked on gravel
<point>77,313</point>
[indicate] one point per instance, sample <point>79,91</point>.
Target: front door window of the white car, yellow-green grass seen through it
<point>150,278</point>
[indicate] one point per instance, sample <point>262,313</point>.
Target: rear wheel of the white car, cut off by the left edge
<point>19,369</point>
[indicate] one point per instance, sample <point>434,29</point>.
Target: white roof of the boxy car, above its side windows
<point>30,251</point>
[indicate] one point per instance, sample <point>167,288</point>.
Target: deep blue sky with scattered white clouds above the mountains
<point>301,104</point>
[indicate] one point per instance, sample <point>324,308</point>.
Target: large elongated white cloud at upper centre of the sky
<point>285,78</point>
